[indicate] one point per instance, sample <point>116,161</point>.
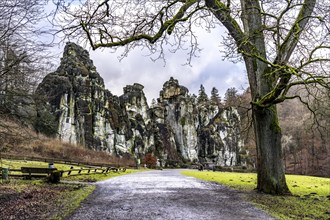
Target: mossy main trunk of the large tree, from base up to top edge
<point>271,175</point>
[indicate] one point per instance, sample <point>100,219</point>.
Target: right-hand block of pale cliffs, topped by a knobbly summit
<point>200,131</point>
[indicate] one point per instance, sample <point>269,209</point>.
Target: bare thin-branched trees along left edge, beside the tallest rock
<point>23,59</point>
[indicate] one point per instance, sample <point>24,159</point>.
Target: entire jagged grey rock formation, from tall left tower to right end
<point>74,105</point>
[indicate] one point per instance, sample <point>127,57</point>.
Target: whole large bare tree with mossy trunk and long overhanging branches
<point>283,43</point>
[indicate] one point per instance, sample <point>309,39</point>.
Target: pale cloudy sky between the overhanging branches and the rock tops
<point>208,69</point>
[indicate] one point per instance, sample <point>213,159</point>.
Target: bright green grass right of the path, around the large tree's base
<point>310,200</point>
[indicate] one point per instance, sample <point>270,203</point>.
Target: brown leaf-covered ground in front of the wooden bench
<point>42,201</point>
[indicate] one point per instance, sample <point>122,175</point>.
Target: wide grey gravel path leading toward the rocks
<point>164,195</point>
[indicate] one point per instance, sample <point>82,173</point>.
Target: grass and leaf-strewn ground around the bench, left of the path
<point>37,199</point>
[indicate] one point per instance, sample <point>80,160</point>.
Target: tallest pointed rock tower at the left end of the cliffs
<point>77,100</point>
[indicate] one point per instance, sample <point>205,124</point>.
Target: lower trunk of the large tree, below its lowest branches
<point>271,175</point>
